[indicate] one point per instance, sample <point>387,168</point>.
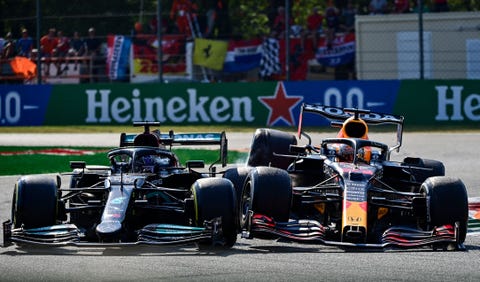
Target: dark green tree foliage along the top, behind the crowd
<point>247,18</point>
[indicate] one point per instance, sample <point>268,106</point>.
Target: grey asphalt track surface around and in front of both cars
<point>251,260</point>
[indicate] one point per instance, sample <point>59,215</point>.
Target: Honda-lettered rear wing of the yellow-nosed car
<point>337,116</point>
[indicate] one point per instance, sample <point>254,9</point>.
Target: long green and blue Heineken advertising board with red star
<point>264,104</point>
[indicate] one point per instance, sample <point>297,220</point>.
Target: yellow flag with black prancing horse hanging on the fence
<point>210,53</point>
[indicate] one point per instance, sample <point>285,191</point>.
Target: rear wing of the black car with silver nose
<point>179,139</point>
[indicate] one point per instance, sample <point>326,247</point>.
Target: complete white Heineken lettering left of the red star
<point>182,108</point>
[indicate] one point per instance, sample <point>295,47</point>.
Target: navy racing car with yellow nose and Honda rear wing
<point>346,190</point>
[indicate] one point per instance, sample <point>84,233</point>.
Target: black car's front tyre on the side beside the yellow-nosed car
<point>215,197</point>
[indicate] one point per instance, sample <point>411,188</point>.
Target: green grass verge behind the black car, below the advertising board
<point>23,164</point>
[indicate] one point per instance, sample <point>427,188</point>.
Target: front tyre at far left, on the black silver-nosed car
<point>34,202</point>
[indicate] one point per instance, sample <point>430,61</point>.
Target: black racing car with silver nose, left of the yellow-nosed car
<point>145,196</point>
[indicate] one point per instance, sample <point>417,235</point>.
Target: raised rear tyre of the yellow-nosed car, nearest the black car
<point>265,143</point>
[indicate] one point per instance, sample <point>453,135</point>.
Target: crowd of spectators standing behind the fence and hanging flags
<point>337,16</point>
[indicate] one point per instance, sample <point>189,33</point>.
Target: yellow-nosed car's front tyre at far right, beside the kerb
<point>447,203</point>
